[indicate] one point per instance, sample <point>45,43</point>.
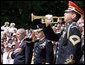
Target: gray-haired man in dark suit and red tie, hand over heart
<point>22,53</point>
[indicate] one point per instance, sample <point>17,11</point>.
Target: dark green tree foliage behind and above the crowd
<point>20,11</point>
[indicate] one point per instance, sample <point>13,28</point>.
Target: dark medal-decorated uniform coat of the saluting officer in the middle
<point>43,52</point>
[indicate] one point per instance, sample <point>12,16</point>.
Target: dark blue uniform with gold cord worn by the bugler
<point>70,43</point>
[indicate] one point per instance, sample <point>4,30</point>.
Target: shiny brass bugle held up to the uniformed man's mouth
<point>33,17</point>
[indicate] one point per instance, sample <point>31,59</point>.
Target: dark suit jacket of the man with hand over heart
<point>25,54</point>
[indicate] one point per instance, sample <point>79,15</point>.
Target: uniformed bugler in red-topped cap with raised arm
<point>69,51</point>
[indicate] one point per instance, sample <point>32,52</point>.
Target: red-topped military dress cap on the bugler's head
<point>74,7</point>
